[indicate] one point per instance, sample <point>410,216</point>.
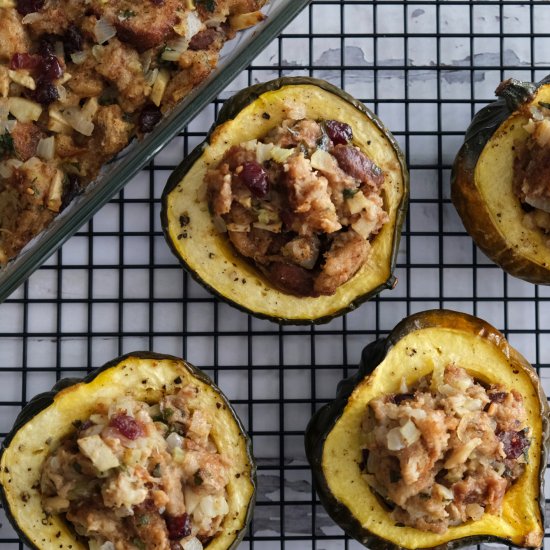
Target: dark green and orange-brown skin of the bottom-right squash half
<point>373,354</point>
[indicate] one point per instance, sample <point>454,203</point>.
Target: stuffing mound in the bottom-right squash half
<point>447,451</point>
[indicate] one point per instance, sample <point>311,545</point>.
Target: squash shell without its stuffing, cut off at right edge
<point>481,183</point>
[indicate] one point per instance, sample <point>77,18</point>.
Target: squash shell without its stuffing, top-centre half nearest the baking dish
<point>207,254</point>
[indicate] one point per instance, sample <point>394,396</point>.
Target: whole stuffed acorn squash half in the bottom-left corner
<point>143,453</point>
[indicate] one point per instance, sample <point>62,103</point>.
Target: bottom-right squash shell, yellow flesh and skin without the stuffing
<point>412,349</point>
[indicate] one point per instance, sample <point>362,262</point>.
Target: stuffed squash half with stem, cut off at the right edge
<point>500,180</point>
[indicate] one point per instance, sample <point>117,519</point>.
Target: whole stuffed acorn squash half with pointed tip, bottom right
<point>440,440</point>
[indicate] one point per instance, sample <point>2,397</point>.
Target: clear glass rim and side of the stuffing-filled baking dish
<point>235,56</point>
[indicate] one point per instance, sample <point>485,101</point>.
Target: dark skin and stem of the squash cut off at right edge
<point>471,209</point>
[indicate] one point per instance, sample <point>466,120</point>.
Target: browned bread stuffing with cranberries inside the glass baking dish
<point>79,80</point>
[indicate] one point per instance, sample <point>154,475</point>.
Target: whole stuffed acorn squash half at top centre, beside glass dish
<point>292,208</point>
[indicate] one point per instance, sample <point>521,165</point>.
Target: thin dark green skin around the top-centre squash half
<point>230,109</point>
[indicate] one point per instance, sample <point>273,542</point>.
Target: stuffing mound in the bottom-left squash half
<point>135,476</point>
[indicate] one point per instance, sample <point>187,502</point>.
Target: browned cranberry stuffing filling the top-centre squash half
<point>302,204</point>
